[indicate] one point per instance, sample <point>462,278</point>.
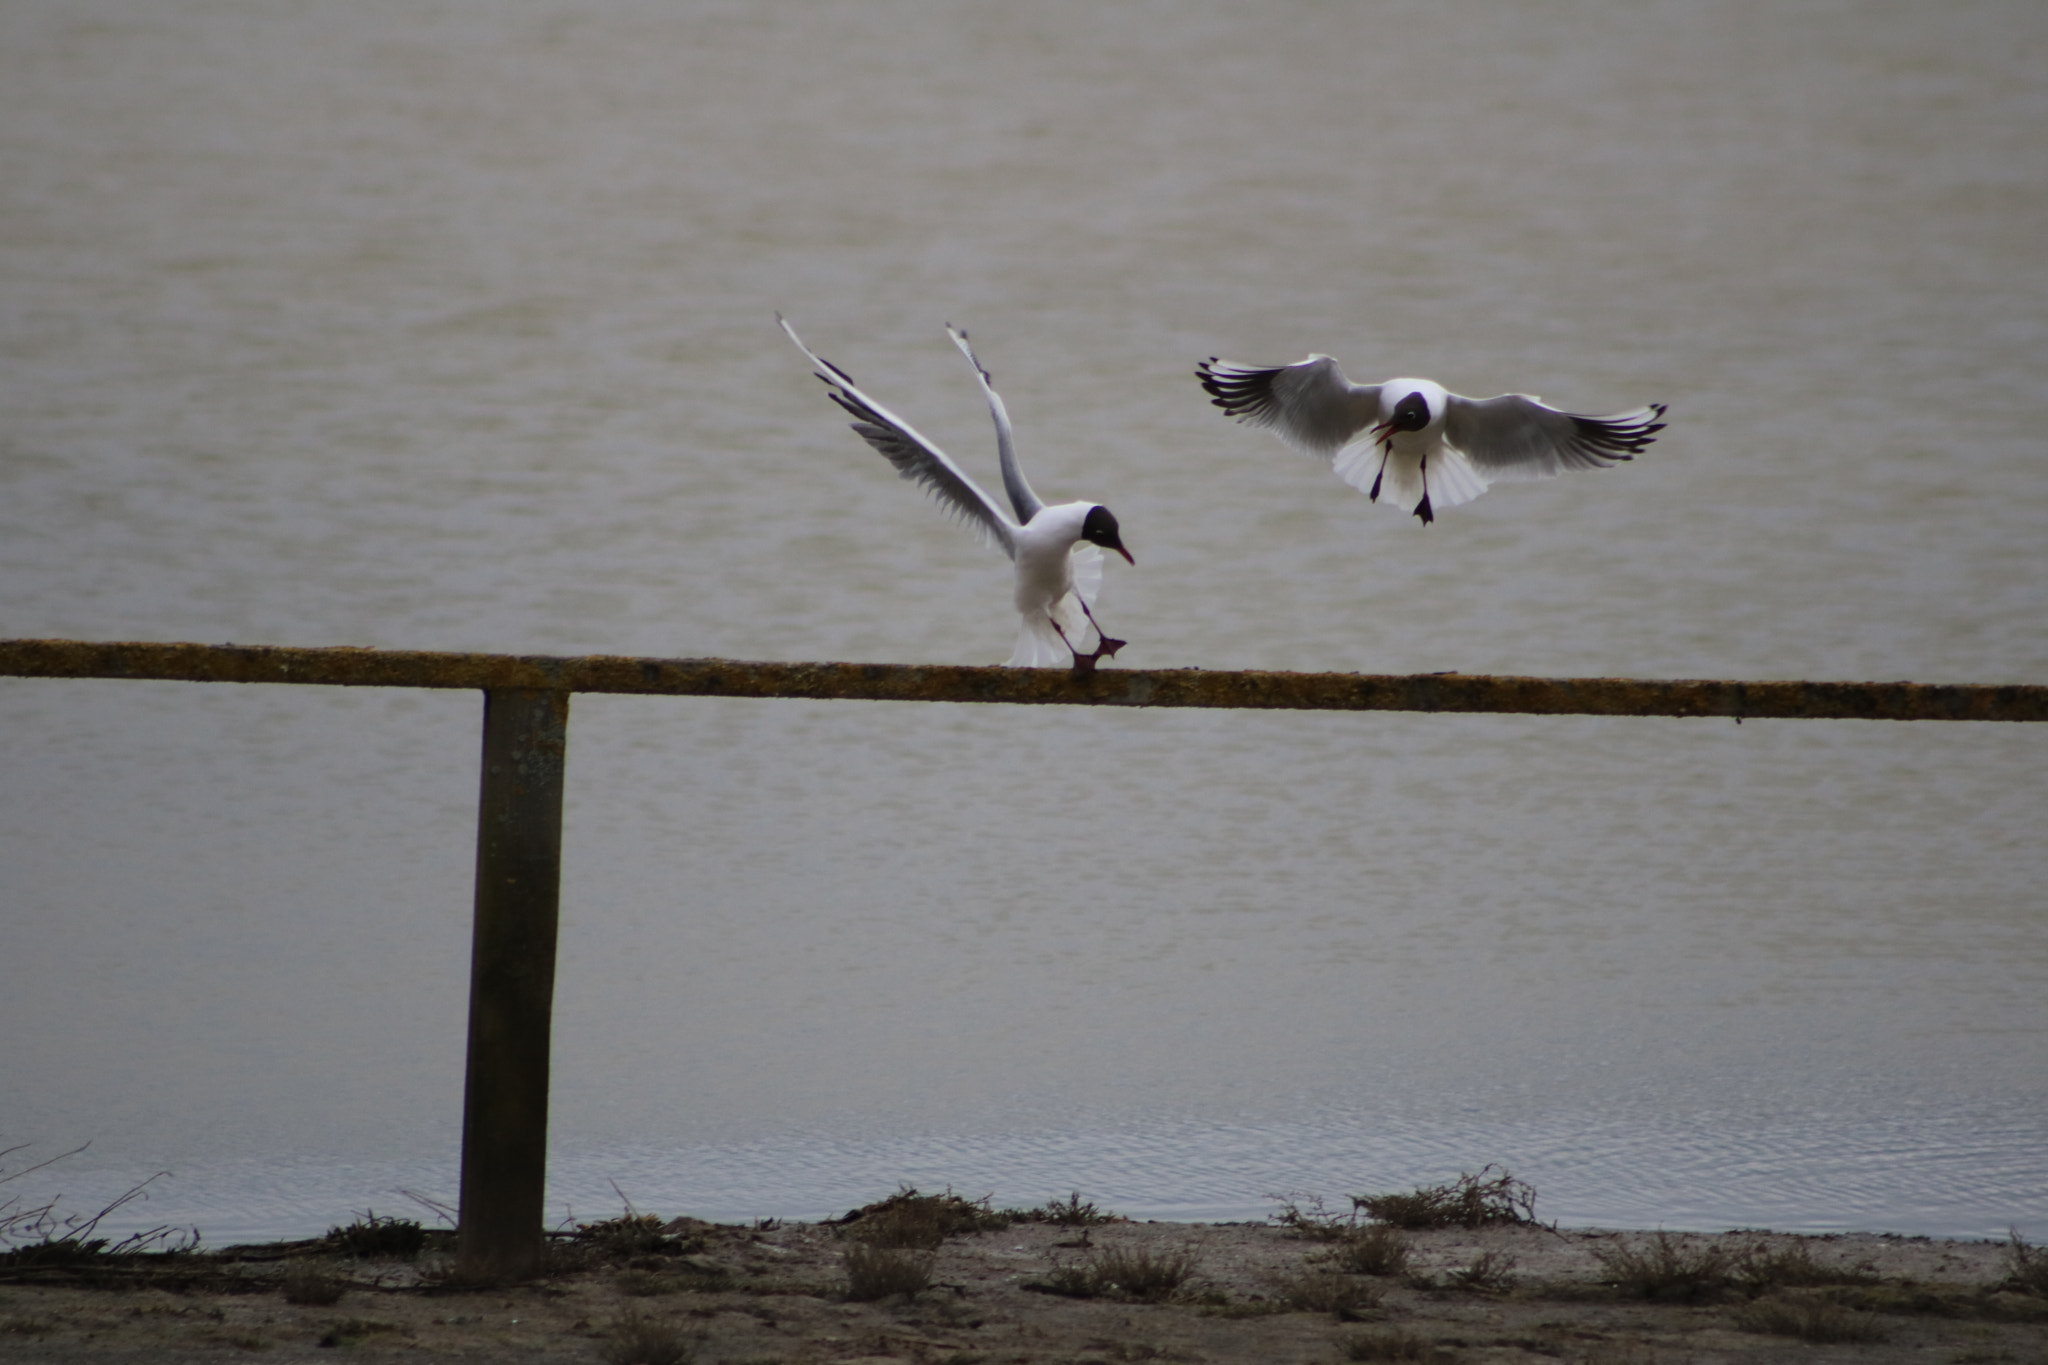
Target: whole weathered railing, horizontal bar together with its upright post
<point>525,748</point>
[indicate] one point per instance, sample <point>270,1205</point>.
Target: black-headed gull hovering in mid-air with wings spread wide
<point>1418,443</point>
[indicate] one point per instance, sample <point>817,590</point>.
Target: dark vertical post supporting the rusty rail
<point>513,983</point>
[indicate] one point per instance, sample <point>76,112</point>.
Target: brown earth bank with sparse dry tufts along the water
<point>781,1294</point>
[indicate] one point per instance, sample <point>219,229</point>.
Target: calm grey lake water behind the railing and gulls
<point>450,324</point>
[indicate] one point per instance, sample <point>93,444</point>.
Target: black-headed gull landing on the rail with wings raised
<point>1060,568</point>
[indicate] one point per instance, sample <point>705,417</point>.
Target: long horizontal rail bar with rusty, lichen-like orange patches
<point>904,682</point>
